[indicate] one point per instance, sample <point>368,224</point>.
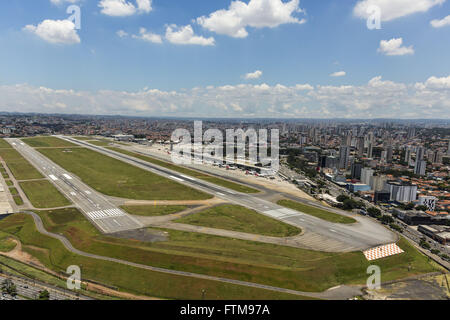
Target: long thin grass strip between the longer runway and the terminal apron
<point>195,174</point>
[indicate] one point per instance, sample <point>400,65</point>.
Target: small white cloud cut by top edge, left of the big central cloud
<point>123,8</point>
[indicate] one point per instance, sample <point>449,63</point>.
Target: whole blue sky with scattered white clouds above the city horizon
<point>205,72</point>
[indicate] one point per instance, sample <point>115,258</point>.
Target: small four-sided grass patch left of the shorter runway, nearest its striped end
<point>42,194</point>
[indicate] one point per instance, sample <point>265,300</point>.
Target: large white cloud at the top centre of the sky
<point>257,14</point>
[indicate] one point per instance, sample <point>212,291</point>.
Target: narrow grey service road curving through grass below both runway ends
<point>341,292</point>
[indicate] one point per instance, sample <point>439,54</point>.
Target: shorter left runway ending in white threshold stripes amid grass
<point>106,216</point>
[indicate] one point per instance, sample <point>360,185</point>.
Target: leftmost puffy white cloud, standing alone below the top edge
<point>55,31</point>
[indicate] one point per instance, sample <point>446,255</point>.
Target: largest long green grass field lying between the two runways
<point>116,178</point>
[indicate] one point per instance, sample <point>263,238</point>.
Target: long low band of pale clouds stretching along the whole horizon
<point>378,97</point>
